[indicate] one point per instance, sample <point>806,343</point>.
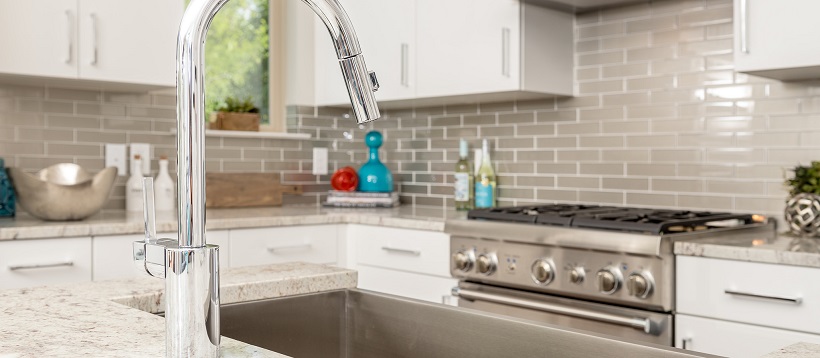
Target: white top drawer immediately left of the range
<point>418,251</point>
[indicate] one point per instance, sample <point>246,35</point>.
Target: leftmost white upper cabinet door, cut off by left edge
<point>39,37</point>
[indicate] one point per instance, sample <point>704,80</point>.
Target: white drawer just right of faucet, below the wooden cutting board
<point>314,244</point>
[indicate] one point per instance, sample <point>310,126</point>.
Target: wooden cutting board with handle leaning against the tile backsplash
<point>241,190</point>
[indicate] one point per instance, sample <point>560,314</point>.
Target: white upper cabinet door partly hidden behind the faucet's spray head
<point>387,37</point>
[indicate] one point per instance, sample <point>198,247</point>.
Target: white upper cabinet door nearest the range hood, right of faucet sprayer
<point>467,46</point>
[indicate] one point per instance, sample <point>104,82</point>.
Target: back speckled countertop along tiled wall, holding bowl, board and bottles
<point>123,223</point>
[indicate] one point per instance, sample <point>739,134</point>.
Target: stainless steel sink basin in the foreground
<point>363,324</point>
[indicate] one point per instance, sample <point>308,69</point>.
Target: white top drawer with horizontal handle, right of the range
<point>764,294</point>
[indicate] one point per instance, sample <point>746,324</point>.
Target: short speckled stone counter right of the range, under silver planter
<point>782,250</point>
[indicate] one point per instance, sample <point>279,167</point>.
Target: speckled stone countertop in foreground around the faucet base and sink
<point>114,318</point>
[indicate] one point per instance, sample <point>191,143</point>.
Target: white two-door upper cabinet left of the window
<point>104,41</point>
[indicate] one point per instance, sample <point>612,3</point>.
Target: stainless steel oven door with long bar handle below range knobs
<point>626,323</point>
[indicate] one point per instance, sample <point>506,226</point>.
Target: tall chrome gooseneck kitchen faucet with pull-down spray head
<point>189,266</point>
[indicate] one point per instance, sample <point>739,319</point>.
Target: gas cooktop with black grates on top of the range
<point>642,220</point>
